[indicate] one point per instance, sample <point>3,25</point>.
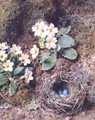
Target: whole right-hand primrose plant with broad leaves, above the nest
<point>51,43</point>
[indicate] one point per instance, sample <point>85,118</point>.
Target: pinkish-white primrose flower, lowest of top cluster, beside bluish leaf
<point>51,42</point>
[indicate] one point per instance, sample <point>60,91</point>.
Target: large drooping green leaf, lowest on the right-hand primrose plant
<point>49,62</point>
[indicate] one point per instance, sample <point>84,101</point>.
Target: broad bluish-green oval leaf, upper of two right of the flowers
<point>66,41</point>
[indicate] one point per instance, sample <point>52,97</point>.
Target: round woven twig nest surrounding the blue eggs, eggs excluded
<point>77,85</point>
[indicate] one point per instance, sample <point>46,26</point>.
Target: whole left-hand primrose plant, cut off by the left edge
<point>15,67</point>
